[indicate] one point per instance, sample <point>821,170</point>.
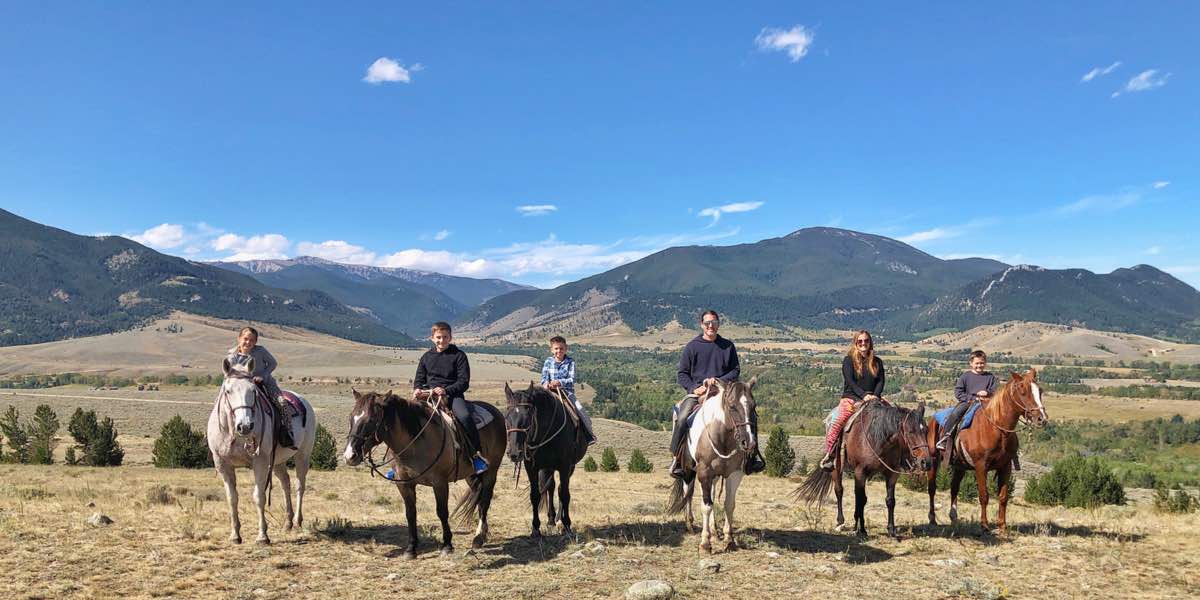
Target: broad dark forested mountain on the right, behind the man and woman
<point>829,278</point>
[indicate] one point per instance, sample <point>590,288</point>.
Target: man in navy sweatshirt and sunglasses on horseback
<point>705,361</point>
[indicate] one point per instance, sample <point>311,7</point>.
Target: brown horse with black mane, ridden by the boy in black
<point>423,447</point>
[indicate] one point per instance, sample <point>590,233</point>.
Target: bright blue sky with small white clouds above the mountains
<point>545,142</point>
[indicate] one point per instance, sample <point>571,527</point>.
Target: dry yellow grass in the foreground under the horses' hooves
<point>353,539</point>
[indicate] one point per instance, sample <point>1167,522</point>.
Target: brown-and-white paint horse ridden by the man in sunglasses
<point>718,443</point>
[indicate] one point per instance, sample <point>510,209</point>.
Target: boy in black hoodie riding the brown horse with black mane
<point>445,374</point>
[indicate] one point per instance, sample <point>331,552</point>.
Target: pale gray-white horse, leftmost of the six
<point>242,435</point>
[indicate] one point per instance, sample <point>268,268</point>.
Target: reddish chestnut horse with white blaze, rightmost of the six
<point>991,445</point>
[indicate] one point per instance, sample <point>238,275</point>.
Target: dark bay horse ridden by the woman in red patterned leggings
<point>886,440</point>
